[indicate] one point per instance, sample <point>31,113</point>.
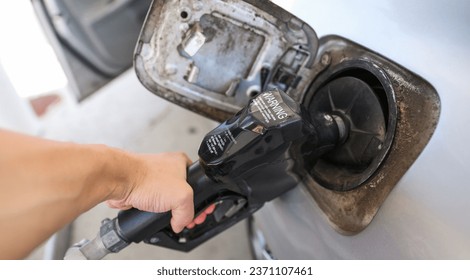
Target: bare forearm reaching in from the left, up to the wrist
<point>46,184</point>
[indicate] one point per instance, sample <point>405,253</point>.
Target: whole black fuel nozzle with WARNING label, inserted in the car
<point>243,163</point>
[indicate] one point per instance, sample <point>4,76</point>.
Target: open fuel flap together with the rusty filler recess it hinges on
<point>212,56</point>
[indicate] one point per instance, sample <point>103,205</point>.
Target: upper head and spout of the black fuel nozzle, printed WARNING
<point>263,132</point>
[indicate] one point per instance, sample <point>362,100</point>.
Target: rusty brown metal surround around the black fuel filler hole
<point>418,108</point>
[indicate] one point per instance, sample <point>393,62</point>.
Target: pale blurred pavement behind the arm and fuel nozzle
<point>125,115</point>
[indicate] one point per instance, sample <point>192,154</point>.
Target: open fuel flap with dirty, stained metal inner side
<point>211,57</point>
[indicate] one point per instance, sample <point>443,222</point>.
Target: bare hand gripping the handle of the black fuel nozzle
<point>159,185</point>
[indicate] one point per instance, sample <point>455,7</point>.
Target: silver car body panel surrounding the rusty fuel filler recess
<point>427,215</point>
